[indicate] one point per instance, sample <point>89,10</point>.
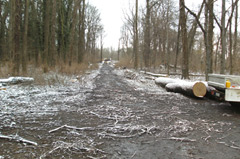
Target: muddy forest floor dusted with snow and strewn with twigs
<point>106,115</point>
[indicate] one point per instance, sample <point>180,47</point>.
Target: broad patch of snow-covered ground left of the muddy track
<point>39,100</point>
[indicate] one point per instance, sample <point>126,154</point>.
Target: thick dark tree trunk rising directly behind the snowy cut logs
<point>183,21</point>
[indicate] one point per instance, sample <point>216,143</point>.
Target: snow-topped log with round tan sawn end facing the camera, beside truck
<point>193,89</point>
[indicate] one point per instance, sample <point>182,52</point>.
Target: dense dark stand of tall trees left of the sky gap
<point>47,34</point>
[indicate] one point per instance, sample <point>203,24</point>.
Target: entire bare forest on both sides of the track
<point>163,34</point>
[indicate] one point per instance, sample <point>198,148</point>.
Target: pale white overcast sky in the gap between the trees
<point>112,15</point>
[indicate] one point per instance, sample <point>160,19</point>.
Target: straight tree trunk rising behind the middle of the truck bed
<point>223,37</point>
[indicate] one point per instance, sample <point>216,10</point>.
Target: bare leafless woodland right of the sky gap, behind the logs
<point>167,33</point>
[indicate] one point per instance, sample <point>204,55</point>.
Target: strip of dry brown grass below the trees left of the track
<point>48,76</point>
